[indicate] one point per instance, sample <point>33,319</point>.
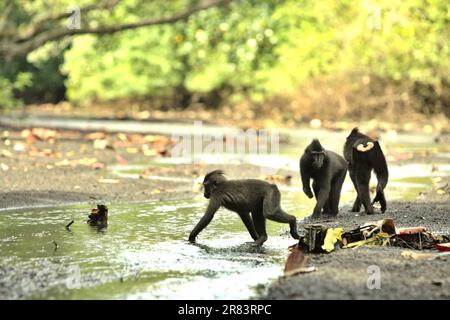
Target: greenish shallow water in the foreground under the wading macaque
<point>142,254</point>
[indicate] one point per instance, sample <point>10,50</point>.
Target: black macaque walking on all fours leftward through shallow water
<point>258,197</point>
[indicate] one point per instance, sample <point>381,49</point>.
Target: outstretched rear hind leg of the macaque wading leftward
<point>272,211</point>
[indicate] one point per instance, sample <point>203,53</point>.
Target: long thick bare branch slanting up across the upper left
<point>11,49</point>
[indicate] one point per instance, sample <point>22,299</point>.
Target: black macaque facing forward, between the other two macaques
<point>327,169</point>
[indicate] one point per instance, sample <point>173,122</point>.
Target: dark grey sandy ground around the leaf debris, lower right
<point>343,274</point>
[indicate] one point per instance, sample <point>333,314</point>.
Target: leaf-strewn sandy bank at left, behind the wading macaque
<point>50,168</point>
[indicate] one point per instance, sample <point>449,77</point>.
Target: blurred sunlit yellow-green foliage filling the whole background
<point>251,49</point>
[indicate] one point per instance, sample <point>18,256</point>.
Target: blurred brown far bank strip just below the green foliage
<point>236,117</point>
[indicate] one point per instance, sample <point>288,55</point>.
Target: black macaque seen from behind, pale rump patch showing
<point>364,155</point>
